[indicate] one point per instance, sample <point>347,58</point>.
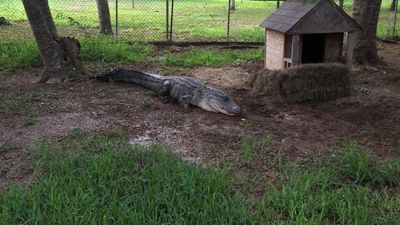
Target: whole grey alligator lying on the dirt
<point>186,90</point>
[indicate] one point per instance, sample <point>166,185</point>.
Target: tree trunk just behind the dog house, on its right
<point>366,13</point>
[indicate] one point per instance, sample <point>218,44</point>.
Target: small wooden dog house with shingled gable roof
<point>307,32</point>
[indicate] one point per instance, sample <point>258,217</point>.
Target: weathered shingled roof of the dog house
<point>310,16</point>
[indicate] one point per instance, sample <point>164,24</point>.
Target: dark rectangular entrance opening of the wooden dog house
<point>313,48</point>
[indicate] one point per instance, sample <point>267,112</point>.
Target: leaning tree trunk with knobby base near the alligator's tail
<point>61,56</point>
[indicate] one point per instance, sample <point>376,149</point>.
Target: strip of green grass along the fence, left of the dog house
<point>121,50</point>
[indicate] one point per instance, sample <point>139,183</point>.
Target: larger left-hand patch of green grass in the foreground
<point>102,180</point>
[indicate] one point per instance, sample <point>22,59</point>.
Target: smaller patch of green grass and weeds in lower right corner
<point>311,196</point>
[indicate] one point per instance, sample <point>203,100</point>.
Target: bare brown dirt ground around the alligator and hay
<point>371,115</point>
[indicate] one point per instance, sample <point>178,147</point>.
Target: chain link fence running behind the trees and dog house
<point>170,20</point>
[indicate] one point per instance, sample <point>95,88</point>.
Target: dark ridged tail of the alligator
<point>150,81</point>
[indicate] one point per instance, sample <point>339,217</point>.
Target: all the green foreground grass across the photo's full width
<point>103,180</point>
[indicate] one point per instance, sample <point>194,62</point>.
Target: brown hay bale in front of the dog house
<point>309,82</point>
